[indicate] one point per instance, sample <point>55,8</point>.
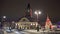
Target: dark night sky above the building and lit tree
<point>15,8</point>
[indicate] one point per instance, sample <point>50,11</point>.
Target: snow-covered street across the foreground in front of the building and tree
<point>32,32</point>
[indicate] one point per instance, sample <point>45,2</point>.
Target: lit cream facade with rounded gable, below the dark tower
<point>24,23</point>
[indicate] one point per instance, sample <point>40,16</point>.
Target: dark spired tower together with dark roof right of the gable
<point>28,13</point>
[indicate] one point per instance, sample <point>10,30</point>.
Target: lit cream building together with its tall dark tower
<point>27,21</point>
